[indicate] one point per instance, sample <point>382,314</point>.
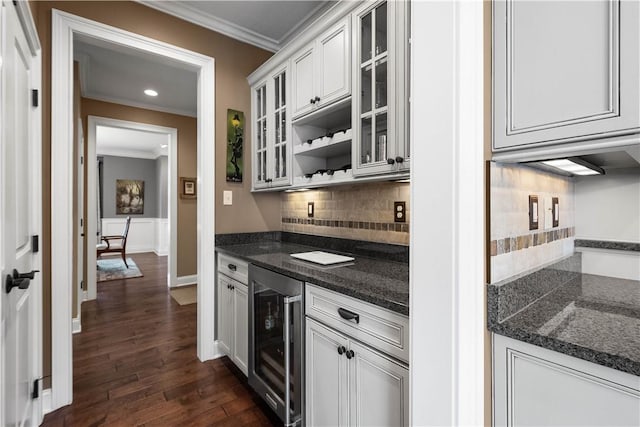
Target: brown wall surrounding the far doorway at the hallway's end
<point>187,154</point>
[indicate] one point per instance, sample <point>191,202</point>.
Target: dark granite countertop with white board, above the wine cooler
<point>380,282</point>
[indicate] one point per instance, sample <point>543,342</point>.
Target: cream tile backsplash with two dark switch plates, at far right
<point>514,249</point>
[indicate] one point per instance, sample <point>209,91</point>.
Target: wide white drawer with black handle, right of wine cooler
<point>382,329</point>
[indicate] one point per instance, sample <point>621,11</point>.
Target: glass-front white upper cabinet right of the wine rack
<point>380,94</point>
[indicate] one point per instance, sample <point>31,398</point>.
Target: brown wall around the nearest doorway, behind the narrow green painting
<point>234,61</point>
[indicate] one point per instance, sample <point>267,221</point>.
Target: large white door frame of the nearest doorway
<point>64,27</point>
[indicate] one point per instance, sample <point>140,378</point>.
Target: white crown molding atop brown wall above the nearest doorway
<point>213,23</point>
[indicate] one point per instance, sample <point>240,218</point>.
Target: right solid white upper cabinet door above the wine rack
<point>334,80</point>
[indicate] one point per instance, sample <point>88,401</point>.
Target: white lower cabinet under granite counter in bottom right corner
<point>534,386</point>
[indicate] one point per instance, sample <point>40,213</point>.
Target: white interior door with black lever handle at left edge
<point>19,213</point>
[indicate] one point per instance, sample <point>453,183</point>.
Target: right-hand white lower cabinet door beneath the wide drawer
<point>378,391</point>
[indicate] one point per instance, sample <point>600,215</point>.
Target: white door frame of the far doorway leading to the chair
<point>172,197</point>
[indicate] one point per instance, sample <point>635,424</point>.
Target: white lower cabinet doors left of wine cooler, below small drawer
<point>233,331</point>
